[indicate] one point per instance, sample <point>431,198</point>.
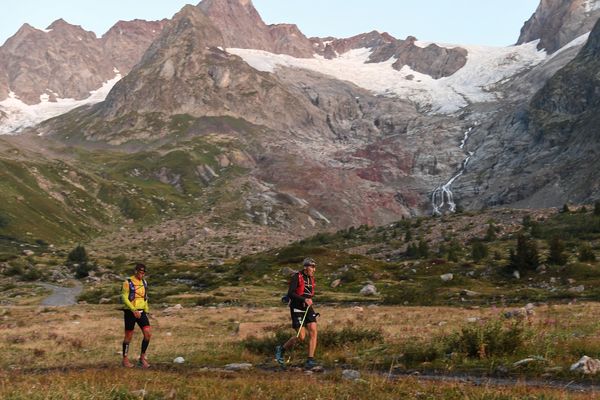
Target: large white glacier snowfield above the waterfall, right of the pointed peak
<point>471,84</point>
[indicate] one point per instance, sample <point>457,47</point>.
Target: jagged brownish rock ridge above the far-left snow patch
<point>67,61</point>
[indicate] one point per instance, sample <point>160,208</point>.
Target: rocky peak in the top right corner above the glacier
<point>557,22</point>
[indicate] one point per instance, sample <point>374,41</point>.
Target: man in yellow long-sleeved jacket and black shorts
<point>134,295</point>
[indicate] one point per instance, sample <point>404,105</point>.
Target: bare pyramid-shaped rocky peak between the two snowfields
<point>185,71</point>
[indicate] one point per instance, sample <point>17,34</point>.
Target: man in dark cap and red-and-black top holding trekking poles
<point>304,318</point>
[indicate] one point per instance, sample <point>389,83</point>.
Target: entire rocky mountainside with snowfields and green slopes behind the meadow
<point>213,135</point>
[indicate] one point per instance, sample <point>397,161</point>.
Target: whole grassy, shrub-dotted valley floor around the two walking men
<point>468,335</point>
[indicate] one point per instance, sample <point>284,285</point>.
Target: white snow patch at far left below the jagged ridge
<point>20,115</point>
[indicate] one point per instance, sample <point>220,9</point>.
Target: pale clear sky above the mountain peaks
<point>483,22</point>
